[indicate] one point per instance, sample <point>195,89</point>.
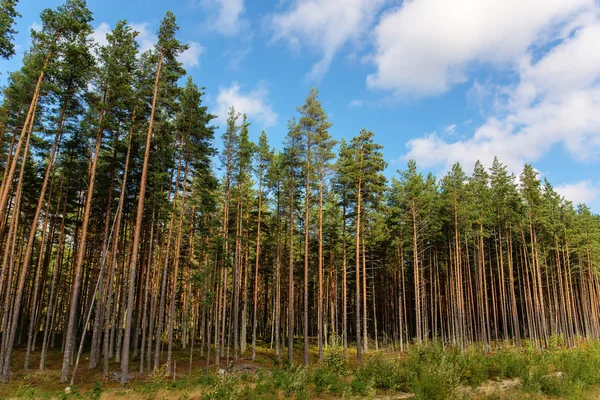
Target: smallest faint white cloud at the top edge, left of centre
<point>226,16</point>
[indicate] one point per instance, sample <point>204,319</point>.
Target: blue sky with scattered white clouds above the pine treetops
<point>438,81</point>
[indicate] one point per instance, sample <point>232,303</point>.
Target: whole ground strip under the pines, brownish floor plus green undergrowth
<point>423,372</point>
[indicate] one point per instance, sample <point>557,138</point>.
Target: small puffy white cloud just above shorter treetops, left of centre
<point>253,103</point>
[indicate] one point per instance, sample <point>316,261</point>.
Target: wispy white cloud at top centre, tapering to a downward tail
<point>324,25</point>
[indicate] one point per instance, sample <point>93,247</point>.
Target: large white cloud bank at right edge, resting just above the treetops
<point>555,102</point>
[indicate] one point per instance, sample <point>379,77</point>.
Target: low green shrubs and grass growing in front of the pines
<point>430,371</point>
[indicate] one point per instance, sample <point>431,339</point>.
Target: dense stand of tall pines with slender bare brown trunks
<point>125,234</point>
